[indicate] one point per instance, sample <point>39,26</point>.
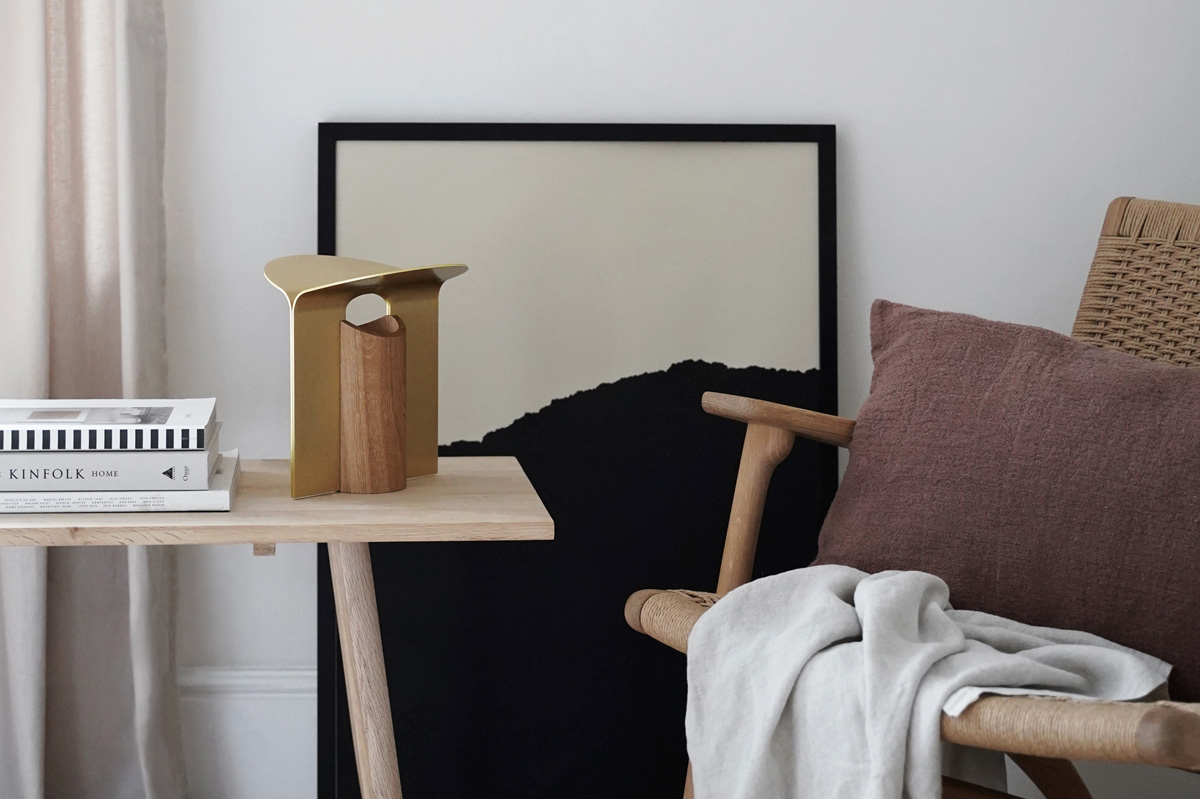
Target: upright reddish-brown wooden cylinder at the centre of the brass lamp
<point>374,410</point>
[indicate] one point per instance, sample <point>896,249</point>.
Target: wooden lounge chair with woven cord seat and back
<point>1142,297</point>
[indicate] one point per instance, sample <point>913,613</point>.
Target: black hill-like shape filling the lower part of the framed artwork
<point>513,672</point>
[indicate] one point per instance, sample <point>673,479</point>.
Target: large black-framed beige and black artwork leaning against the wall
<point>617,273</point>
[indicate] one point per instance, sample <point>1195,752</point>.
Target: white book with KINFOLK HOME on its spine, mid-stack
<point>117,471</point>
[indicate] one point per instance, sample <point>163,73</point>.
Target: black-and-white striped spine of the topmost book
<point>95,438</point>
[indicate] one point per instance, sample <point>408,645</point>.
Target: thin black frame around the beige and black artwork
<point>337,774</point>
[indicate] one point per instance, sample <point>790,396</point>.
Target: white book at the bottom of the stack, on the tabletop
<point>219,497</point>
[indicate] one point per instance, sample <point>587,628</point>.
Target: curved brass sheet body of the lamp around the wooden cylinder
<point>319,290</point>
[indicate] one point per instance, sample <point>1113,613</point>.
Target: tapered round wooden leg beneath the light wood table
<point>367,683</point>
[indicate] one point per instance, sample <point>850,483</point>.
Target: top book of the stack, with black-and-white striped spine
<point>74,425</point>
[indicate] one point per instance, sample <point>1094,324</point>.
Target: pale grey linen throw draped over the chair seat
<point>830,683</point>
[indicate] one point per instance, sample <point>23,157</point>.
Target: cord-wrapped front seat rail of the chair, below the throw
<point>1155,734</point>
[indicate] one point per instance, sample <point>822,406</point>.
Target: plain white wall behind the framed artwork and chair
<point>979,146</point>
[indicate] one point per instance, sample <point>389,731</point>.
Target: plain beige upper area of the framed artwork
<point>592,262</point>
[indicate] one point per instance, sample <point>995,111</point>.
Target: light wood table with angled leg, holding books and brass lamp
<point>470,500</point>
